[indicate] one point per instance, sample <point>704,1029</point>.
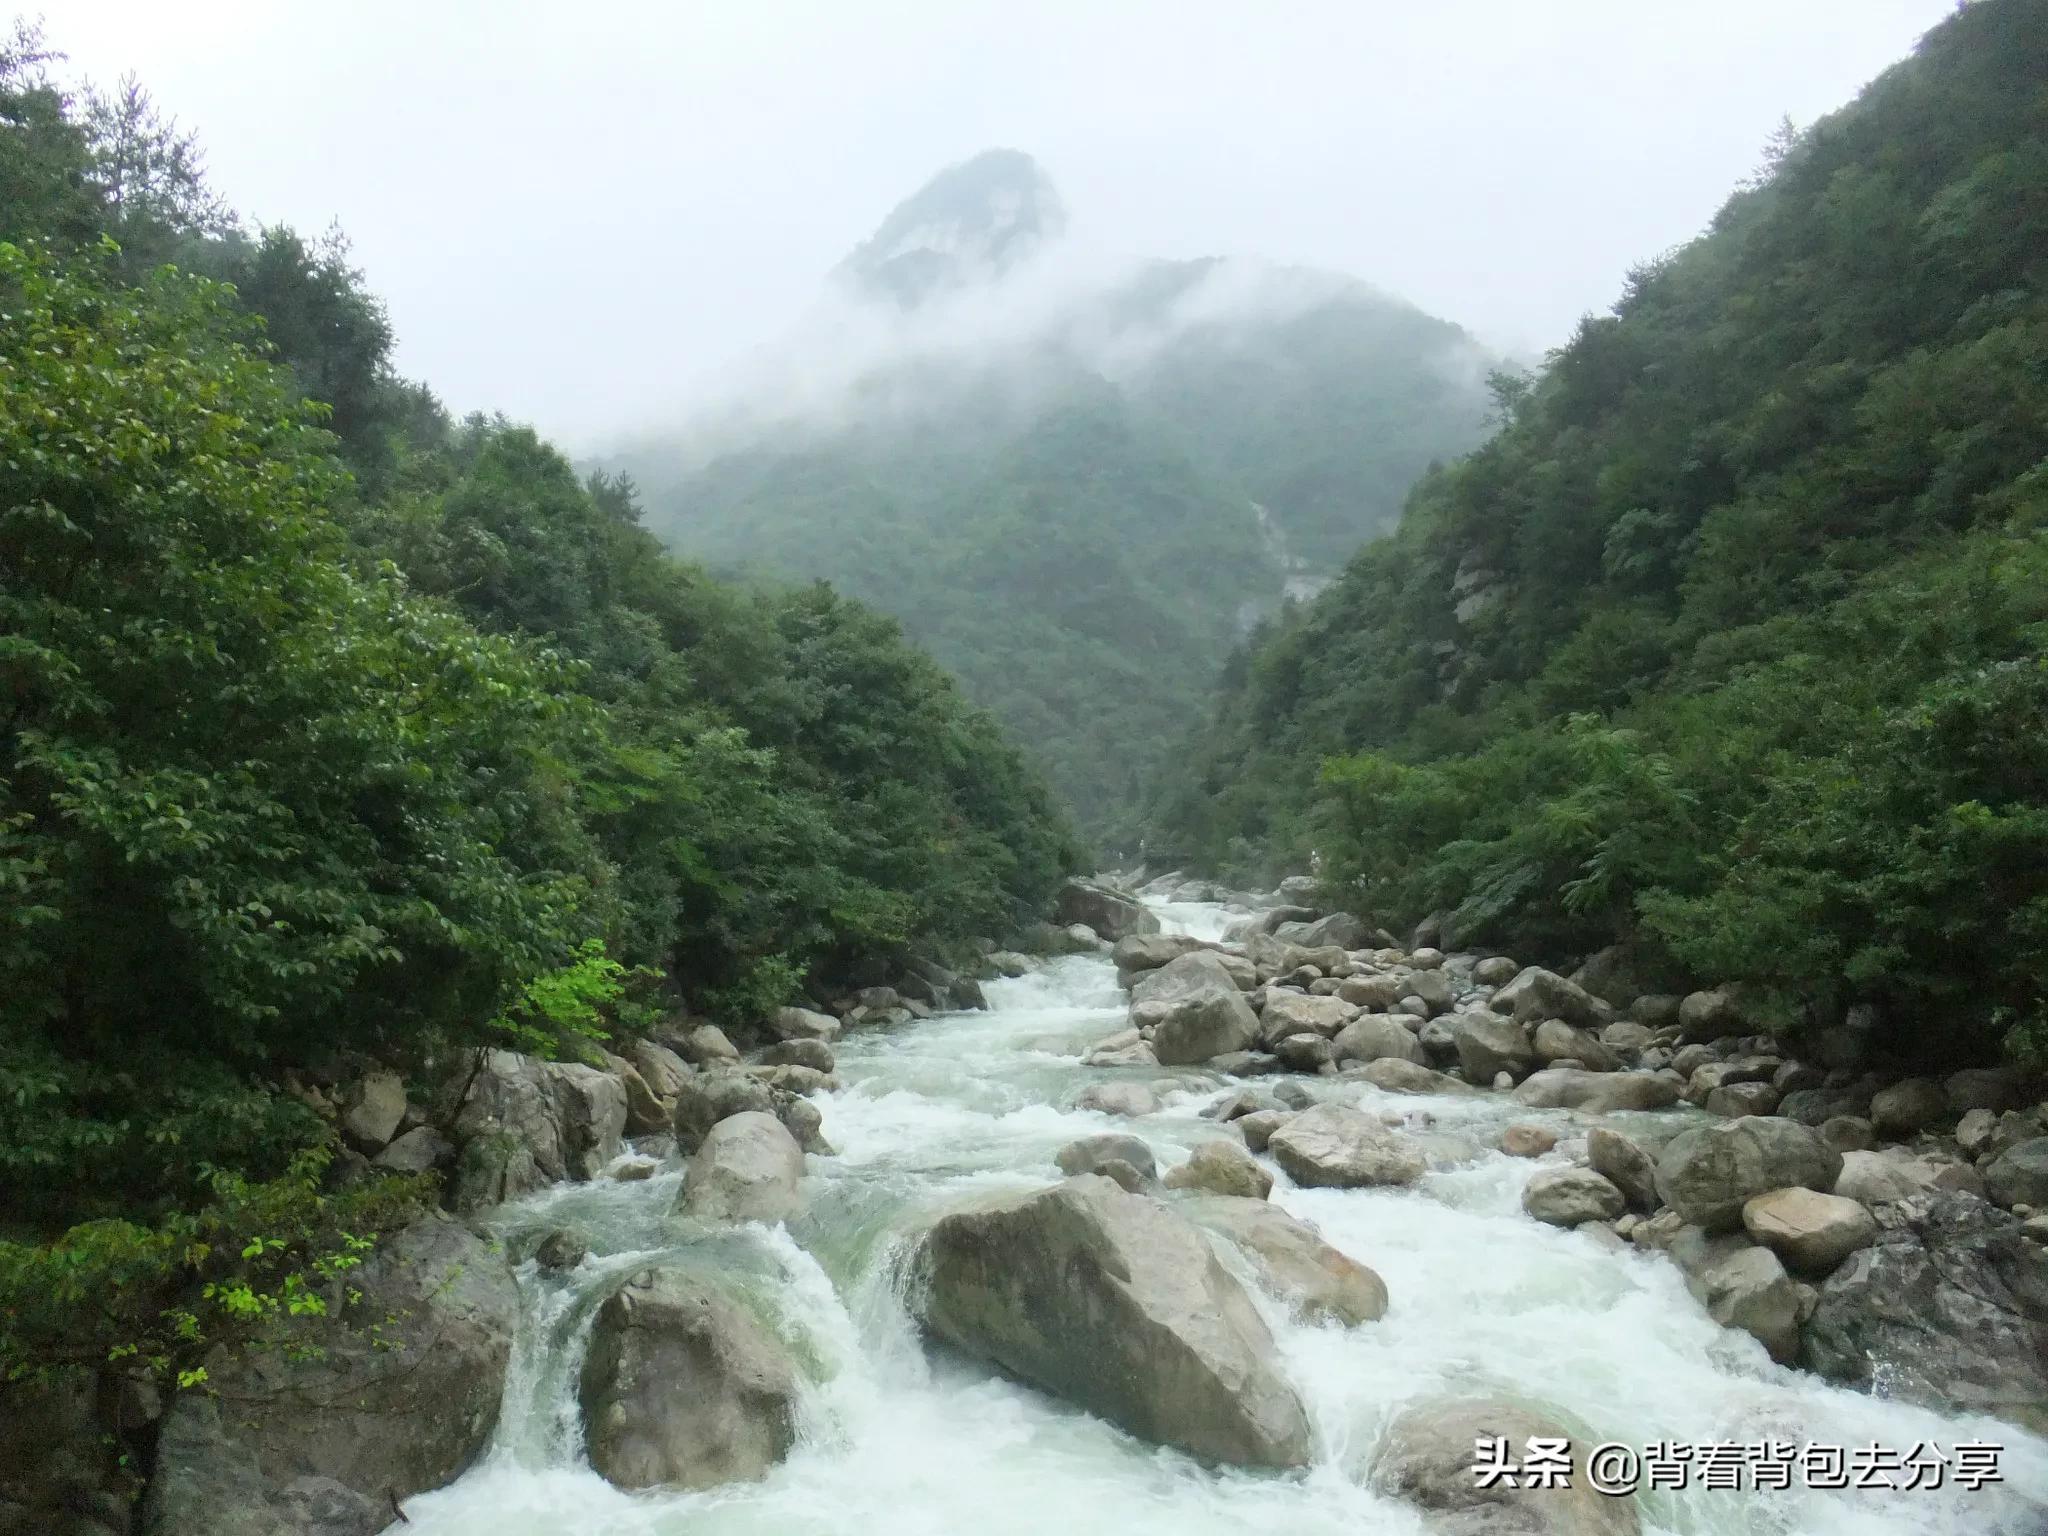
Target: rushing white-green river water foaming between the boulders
<point>896,1439</point>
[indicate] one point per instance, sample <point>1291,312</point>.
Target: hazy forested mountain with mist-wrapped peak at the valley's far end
<point>1074,490</point>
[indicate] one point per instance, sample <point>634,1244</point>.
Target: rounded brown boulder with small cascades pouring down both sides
<point>683,1388</point>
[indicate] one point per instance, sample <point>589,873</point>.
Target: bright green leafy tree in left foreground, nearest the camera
<point>255,808</point>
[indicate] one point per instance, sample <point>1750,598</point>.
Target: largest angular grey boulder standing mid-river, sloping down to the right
<point>1115,1304</point>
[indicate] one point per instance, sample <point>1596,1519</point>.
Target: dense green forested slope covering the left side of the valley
<point>335,726</point>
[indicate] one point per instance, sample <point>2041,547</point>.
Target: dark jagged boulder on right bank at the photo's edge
<point>1949,1310</point>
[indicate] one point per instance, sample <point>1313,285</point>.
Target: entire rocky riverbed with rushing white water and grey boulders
<point>1023,1269</point>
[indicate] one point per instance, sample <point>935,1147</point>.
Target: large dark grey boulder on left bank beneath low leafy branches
<point>323,1441</point>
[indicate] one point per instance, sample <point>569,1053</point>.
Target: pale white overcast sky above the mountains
<point>583,214</point>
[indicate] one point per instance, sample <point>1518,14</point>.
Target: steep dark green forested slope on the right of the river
<point>1732,642</point>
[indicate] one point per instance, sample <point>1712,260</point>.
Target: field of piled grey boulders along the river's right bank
<point>1859,1222</point>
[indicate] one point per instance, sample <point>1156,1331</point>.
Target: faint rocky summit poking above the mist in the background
<point>970,224</point>
